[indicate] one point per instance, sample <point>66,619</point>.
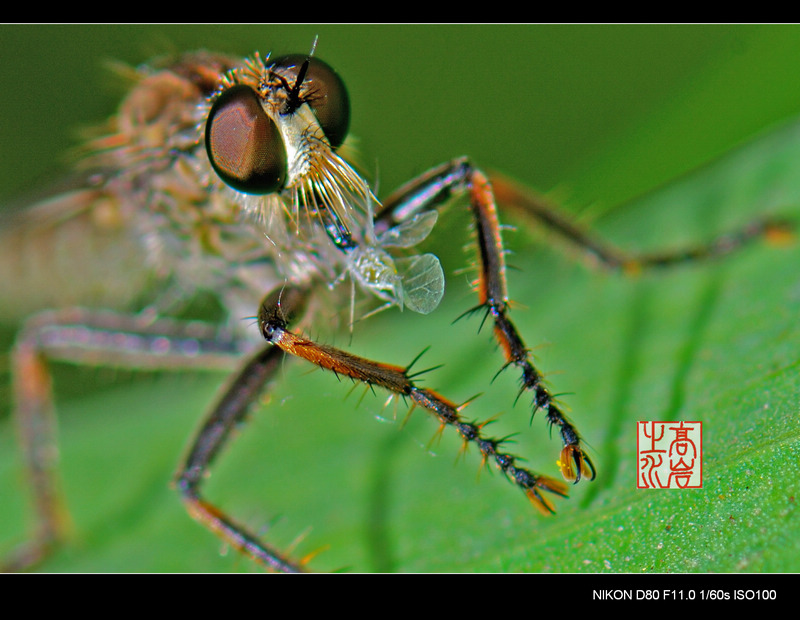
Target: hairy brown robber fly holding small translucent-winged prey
<point>229,176</point>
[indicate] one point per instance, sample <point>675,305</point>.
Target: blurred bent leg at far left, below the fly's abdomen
<point>96,339</point>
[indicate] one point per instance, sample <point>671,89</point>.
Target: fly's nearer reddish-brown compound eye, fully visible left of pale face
<point>243,144</point>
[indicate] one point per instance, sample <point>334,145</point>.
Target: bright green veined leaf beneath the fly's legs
<point>717,343</point>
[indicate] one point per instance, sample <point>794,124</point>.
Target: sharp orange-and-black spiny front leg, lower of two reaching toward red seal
<point>274,327</point>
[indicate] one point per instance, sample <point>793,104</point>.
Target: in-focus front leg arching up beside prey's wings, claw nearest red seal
<point>433,190</point>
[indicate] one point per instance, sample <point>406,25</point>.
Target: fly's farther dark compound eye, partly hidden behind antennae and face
<point>323,90</point>
